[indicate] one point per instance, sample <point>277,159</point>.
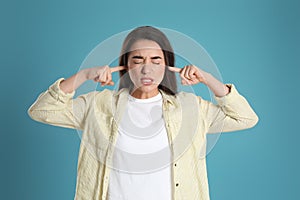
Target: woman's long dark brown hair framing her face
<point>168,84</point>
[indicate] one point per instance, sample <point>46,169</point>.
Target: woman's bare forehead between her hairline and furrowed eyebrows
<point>146,47</point>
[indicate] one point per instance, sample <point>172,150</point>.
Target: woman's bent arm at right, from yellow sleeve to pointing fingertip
<point>232,113</point>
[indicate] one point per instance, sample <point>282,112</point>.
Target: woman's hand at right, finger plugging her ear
<point>191,75</point>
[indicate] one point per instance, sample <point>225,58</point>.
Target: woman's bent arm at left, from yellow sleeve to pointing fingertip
<point>56,105</point>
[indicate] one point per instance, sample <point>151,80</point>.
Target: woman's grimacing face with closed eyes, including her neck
<point>146,65</point>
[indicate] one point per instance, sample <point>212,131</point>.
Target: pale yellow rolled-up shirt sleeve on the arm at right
<point>232,113</point>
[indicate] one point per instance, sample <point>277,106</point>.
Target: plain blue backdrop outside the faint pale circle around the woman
<point>254,43</point>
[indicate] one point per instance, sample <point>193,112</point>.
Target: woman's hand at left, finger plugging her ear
<point>102,74</point>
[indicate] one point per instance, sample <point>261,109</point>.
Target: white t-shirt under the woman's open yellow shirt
<point>141,169</point>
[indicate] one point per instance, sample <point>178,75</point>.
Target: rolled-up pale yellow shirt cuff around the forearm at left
<point>58,94</point>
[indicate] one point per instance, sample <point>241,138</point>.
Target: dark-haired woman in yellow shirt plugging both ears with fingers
<point>147,126</point>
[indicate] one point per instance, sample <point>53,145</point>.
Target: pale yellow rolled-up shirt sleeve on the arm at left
<point>58,108</point>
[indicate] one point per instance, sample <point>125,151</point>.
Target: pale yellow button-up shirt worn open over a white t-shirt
<point>188,118</point>
